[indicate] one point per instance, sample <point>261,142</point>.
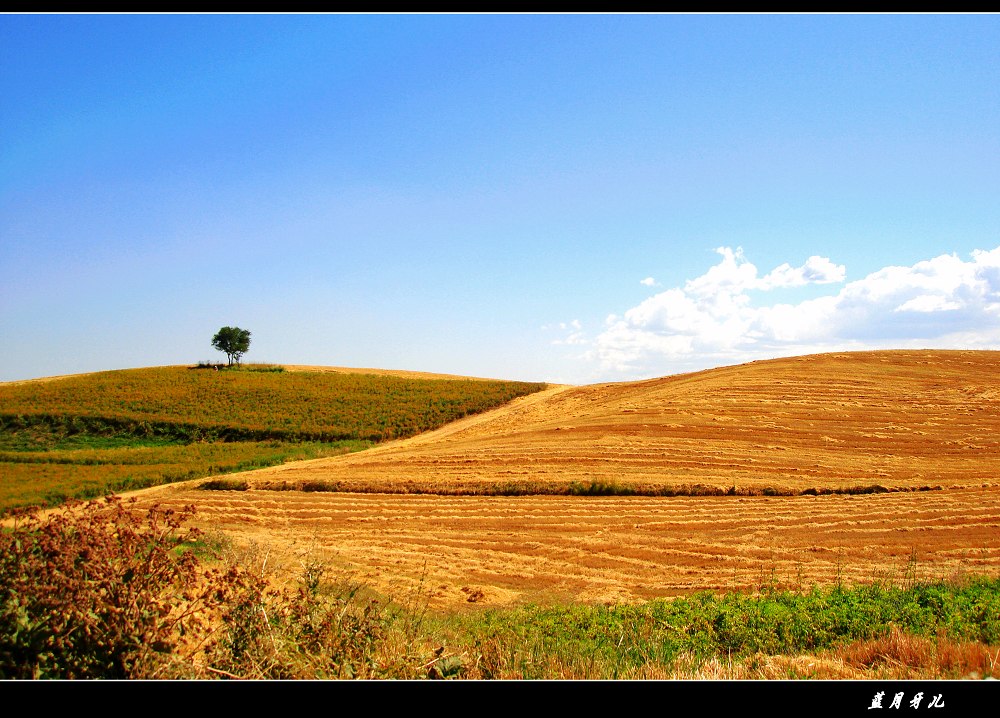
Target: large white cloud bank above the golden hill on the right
<point>720,317</point>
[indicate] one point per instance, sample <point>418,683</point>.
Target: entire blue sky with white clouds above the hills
<point>572,198</point>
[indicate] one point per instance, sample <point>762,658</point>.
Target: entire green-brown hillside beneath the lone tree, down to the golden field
<point>84,436</point>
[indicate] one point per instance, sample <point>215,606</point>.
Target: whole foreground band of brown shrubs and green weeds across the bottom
<point>106,592</point>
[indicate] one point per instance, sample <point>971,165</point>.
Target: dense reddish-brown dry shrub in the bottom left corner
<point>99,590</point>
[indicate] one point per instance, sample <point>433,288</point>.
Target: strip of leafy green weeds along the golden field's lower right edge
<point>624,641</point>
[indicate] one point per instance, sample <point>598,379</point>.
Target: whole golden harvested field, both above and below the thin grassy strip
<point>846,467</point>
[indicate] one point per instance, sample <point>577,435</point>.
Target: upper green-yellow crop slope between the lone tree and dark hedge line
<point>239,404</point>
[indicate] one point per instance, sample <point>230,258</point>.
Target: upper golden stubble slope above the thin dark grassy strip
<point>917,418</point>
